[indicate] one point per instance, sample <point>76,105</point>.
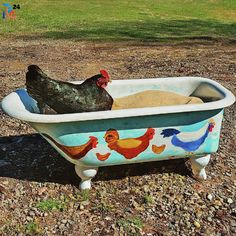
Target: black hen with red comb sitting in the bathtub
<point>64,97</point>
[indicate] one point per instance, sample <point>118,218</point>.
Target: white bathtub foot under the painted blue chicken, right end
<point>198,165</point>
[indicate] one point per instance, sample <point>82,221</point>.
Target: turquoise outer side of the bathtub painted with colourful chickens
<point>135,139</point>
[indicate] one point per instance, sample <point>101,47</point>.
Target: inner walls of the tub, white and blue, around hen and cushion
<point>197,88</point>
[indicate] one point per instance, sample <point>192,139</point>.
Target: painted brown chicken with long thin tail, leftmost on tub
<point>75,152</point>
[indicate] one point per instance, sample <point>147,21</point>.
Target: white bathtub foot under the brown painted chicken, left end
<point>86,173</point>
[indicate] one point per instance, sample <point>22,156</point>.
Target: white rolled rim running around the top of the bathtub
<point>11,108</point>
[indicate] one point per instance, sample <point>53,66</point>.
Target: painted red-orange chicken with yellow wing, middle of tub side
<point>128,147</point>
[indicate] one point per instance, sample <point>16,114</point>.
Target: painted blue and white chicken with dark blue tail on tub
<point>189,141</point>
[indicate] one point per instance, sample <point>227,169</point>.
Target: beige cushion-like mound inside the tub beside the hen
<point>153,98</point>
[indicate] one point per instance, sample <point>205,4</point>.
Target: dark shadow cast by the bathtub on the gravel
<point>30,157</point>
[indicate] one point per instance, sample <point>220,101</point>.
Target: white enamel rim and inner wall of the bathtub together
<point>15,107</point>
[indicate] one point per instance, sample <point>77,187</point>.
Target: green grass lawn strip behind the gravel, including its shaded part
<point>123,20</point>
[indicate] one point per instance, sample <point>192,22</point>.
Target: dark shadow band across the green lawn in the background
<point>162,30</point>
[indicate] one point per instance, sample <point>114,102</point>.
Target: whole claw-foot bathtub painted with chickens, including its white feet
<point>93,139</point>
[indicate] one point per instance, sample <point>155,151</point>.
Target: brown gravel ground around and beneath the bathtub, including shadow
<point>39,189</point>
